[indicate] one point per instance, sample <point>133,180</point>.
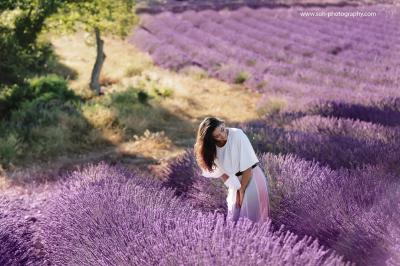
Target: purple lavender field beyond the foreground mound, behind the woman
<point>332,152</point>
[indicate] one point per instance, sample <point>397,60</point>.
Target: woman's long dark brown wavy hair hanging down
<point>205,149</point>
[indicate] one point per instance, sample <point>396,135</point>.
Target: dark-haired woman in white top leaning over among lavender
<point>226,153</point>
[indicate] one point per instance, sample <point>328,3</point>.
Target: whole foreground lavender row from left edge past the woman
<point>105,215</point>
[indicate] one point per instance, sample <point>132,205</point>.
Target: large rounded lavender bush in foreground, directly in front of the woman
<point>103,217</point>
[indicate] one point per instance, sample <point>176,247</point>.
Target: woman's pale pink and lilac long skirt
<point>255,205</point>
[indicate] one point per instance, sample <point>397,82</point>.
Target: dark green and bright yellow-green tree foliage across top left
<point>22,21</point>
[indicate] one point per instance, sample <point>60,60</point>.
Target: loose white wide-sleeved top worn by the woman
<point>236,155</point>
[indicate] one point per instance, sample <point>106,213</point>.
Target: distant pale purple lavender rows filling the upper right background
<point>281,51</point>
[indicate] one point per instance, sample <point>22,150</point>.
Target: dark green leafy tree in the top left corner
<point>21,22</point>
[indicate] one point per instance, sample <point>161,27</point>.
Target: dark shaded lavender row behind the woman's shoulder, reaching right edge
<point>334,133</point>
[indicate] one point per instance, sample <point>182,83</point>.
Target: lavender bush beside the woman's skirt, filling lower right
<point>349,211</point>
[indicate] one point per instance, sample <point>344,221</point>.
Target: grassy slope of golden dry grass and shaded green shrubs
<point>117,126</point>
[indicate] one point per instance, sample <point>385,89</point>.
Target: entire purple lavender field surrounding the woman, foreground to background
<point>331,154</point>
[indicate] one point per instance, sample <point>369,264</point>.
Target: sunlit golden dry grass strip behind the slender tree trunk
<point>194,97</point>
